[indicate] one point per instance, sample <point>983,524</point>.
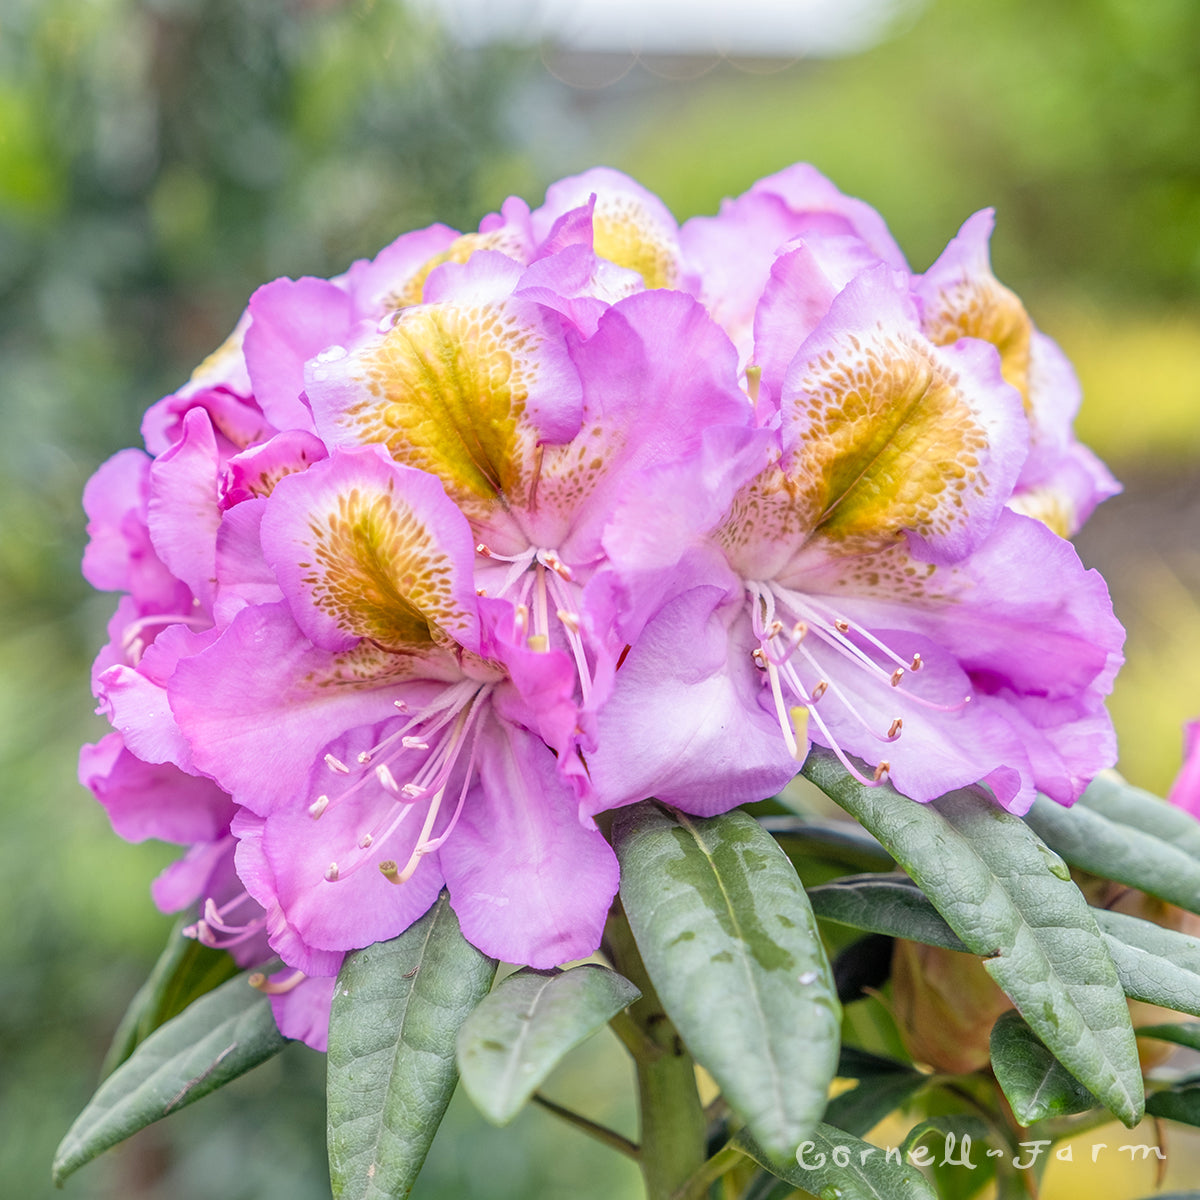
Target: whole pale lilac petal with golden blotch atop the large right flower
<point>885,434</point>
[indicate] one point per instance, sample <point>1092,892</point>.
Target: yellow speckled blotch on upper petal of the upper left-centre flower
<point>446,391</point>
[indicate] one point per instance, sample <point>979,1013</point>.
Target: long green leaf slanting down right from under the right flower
<point>1012,902</point>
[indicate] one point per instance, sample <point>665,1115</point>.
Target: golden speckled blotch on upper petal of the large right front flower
<point>889,443</point>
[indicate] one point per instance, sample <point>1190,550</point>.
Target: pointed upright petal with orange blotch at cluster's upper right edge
<point>962,298</point>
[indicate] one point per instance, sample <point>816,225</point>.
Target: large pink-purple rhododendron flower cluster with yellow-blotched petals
<point>435,562</point>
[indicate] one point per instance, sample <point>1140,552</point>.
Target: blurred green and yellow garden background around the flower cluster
<point>161,159</point>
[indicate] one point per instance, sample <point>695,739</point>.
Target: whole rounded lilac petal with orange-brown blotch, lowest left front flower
<point>364,549</point>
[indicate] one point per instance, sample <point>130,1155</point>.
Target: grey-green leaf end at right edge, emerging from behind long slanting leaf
<point>1157,965</point>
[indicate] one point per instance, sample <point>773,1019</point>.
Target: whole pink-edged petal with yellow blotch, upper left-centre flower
<point>464,391</point>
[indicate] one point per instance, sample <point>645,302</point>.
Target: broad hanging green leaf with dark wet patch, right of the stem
<point>731,946</point>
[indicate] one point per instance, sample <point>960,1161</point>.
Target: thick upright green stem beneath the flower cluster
<point>673,1121</point>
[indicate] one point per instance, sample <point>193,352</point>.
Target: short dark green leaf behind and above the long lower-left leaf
<point>185,971</point>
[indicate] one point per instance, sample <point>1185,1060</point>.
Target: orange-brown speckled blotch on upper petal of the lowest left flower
<point>377,572</point>
